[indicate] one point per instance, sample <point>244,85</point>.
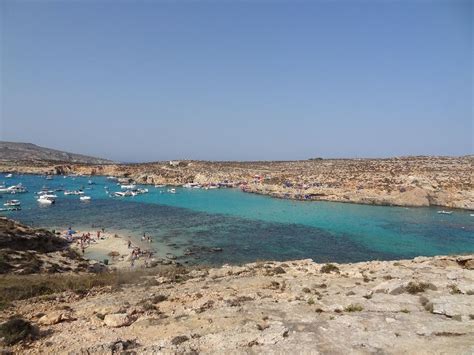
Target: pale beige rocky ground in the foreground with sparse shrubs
<point>423,306</point>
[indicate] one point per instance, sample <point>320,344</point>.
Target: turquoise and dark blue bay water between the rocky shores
<point>248,227</point>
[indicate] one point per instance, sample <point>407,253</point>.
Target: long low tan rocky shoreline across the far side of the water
<point>408,181</point>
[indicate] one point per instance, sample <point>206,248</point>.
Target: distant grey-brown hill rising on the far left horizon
<point>14,152</point>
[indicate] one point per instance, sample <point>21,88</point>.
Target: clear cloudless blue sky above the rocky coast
<point>238,79</point>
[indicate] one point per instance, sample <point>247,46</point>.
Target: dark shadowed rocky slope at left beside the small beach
<point>26,250</point>
